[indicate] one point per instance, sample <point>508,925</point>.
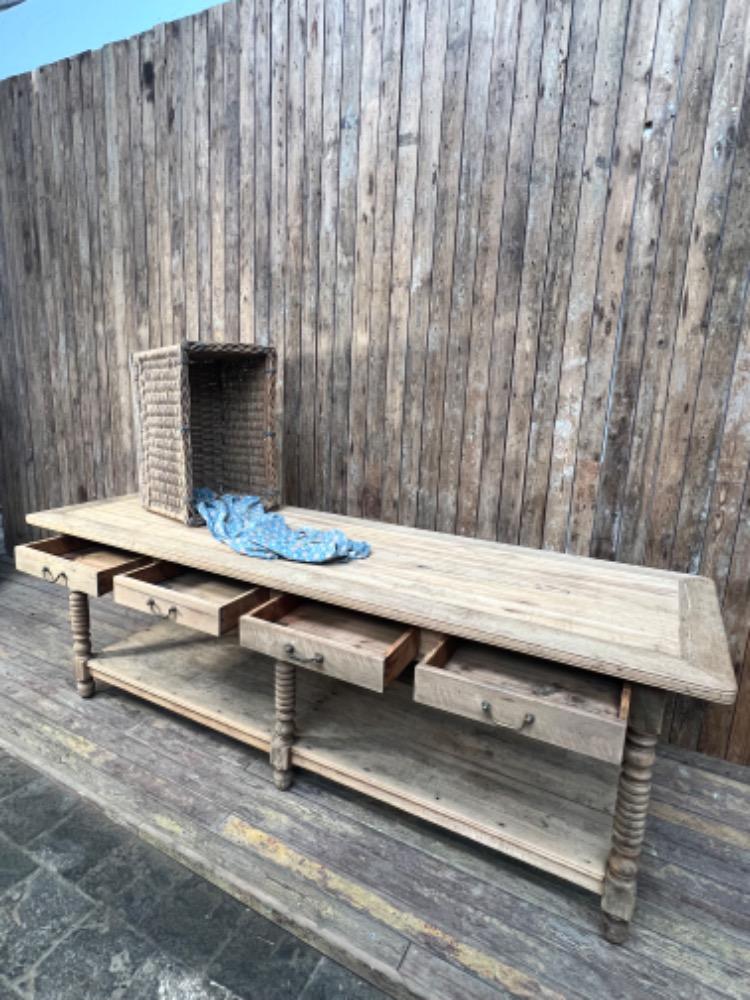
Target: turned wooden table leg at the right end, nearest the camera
<point>631,811</point>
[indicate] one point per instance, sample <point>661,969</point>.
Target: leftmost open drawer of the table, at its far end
<point>75,563</point>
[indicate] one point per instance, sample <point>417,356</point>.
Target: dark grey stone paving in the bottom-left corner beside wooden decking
<point>90,912</point>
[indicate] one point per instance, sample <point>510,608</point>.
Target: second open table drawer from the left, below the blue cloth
<point>207,603</point>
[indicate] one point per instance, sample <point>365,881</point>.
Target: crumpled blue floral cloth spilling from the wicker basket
<point>243,524</point>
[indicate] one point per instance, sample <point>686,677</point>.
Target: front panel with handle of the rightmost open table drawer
<point>535,716</point>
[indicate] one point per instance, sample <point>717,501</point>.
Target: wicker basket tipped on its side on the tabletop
<point>206,417</point>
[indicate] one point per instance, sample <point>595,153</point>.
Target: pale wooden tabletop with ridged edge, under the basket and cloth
<point>649,626</point>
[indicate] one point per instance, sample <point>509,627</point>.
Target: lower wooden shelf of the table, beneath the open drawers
<point>546,806</point>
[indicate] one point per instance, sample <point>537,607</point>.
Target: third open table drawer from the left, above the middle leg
<point>343,644</point>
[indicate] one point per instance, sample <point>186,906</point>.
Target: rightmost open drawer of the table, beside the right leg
<point>555,704</point>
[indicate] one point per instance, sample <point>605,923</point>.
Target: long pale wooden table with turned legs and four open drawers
<point>548,625</point>
